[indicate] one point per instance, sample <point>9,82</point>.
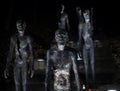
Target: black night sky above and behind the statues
<point>42,16</point>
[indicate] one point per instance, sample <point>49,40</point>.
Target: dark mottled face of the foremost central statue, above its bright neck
<point>61,37</point>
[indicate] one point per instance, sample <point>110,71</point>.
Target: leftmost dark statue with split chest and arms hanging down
<point>20,47</point>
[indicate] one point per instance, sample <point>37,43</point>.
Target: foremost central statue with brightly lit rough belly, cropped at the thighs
<point>60,61</point>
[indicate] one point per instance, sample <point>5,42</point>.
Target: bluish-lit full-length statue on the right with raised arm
<point>85,29</point>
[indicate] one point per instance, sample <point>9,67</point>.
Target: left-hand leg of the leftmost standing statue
<point>17,78</point>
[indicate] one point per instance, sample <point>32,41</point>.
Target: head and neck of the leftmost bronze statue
<point>21,25</point>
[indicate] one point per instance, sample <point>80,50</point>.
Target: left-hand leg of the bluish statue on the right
<point>85,59</point>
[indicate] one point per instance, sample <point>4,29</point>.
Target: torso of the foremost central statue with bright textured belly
<point>61,61</point>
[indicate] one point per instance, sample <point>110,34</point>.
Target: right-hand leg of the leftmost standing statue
<point>24,78</point>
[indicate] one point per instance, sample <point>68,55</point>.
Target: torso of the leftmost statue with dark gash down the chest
<point>21,50</point>
